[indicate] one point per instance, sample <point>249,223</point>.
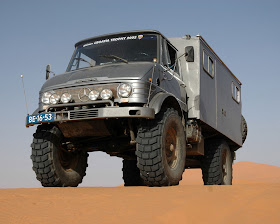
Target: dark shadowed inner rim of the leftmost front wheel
<point>68,160</point>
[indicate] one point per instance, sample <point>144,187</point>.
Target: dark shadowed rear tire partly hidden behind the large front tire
<point>131,173</point>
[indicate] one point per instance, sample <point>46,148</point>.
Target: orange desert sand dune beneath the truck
<point>254,197</point>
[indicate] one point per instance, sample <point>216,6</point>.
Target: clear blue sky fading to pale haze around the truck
<point>245,34</point>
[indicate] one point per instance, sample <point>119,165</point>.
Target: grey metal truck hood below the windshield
<point>132,70</point>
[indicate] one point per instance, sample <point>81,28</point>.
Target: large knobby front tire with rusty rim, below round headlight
<point>161,149</point>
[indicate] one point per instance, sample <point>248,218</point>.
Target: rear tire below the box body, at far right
<point>217,163</point>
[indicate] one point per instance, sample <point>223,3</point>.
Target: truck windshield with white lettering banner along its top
<point>122,49</point>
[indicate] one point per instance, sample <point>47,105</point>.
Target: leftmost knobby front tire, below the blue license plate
<point>55,167</point>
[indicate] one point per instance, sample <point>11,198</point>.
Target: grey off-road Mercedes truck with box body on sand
<point>163,105</point>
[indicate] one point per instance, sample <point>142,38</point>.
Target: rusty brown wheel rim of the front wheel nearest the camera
<point>171,147</point>
